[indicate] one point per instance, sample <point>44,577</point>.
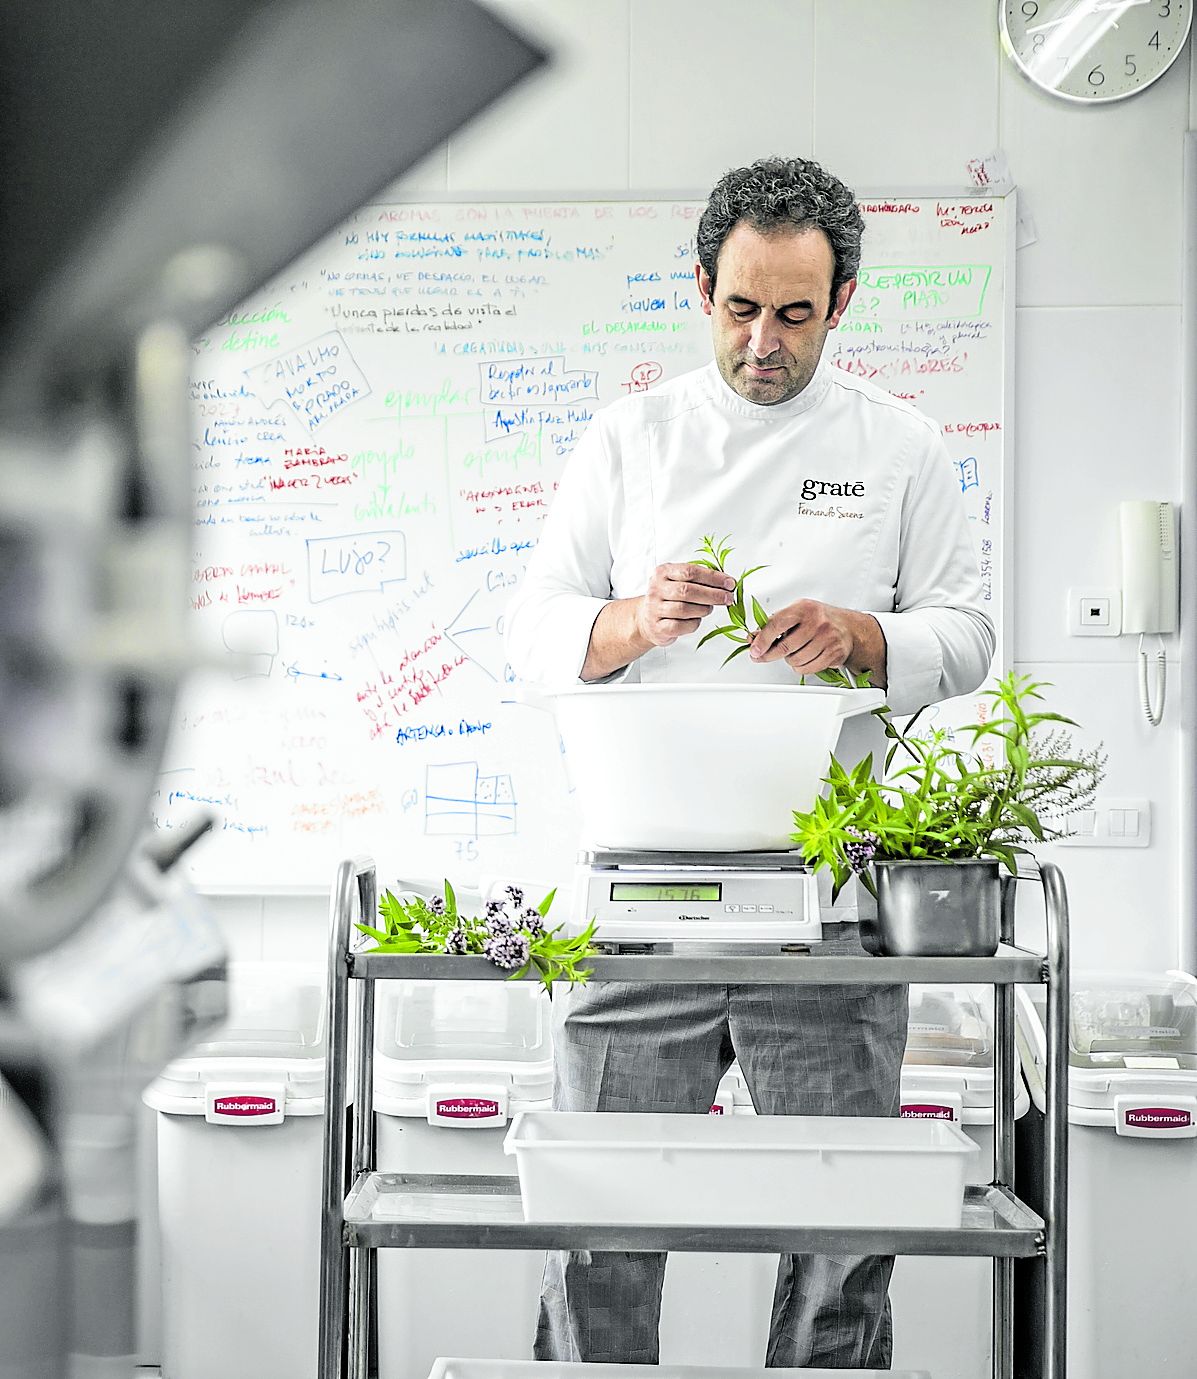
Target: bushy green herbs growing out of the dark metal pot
<point>947,805</point>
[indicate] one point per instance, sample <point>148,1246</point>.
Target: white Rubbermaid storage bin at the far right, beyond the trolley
<point>1133,1169</point>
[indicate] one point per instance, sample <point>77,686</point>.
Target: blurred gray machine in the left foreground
<point>159,161</point>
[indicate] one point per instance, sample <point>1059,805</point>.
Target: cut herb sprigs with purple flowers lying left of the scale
<point>514,936</point>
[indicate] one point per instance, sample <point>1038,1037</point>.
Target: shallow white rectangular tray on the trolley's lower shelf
<point>740,1170</point>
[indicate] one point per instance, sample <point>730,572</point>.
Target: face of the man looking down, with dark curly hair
<point>769,310</point>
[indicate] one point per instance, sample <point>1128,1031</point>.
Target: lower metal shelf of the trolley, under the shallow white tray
<point>423,1211</point>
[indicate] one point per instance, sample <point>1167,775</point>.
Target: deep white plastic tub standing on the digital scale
<point>772,745</point>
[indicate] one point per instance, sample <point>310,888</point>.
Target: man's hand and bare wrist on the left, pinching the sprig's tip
<point>676,602</point>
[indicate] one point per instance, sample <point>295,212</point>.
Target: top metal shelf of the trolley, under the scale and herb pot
<point>733,963</point>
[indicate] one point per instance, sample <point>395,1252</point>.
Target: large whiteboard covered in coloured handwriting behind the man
<point>379,435</point>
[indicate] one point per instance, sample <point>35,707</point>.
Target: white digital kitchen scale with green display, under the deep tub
<point>701,897</point>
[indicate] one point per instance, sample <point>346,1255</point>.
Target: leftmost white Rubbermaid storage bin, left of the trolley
<point>239,1167</point>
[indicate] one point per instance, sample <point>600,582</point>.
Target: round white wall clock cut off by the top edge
<point>1094,50</point>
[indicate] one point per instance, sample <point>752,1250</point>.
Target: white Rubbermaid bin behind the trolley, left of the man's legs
<point>453,1063</point>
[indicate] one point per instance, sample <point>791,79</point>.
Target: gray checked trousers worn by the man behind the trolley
<point>805,1051</point>
